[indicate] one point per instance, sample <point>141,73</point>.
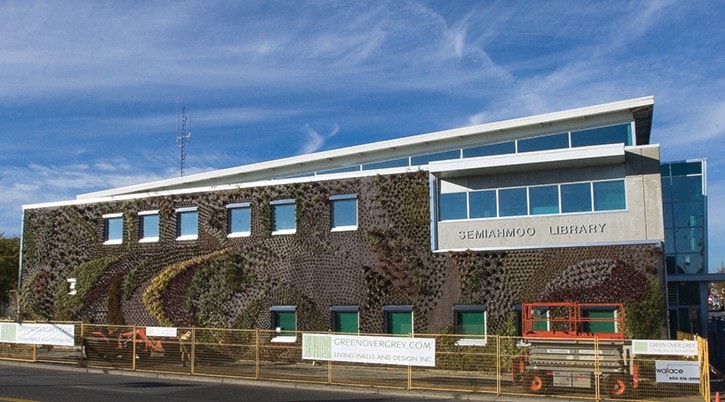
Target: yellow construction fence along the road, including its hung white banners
<point>597,370</point>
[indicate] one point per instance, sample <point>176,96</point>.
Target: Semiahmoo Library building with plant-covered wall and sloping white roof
<point>446,232</point>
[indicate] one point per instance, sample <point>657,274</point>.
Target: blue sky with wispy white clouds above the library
<point>88,89</point>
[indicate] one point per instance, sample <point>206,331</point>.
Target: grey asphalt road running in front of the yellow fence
<point>41,382</point>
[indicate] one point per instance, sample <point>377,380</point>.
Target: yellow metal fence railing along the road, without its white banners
<point>494,365</point>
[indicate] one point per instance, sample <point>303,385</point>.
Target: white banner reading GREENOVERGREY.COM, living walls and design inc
<point>369,349</point>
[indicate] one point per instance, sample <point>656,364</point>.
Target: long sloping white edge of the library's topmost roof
<point>380,145</point>
